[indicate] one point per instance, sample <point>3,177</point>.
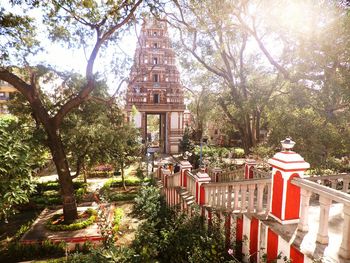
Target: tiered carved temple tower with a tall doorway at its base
<point>154,89</point>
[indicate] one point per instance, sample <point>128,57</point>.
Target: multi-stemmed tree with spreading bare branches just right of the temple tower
<point>215,35</point>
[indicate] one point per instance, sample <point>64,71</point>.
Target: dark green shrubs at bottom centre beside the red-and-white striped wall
<point>166,236</point>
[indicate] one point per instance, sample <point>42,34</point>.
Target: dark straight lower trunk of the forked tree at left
<point>70,212</point>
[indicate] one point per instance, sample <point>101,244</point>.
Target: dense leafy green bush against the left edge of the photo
<point>15,161</point>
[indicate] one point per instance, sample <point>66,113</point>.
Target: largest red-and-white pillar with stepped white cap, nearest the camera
<point>285,201</point>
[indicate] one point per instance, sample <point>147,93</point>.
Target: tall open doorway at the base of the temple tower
<point>155,132</point>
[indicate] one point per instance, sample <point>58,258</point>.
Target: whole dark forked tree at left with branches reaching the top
<point>74,22</point>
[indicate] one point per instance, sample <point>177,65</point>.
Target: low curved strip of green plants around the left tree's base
<point>79,223</point>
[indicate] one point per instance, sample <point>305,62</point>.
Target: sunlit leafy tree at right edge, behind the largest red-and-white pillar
<point>315,105</point>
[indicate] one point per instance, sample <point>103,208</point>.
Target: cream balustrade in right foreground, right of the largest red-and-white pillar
<point>326,196</point>
